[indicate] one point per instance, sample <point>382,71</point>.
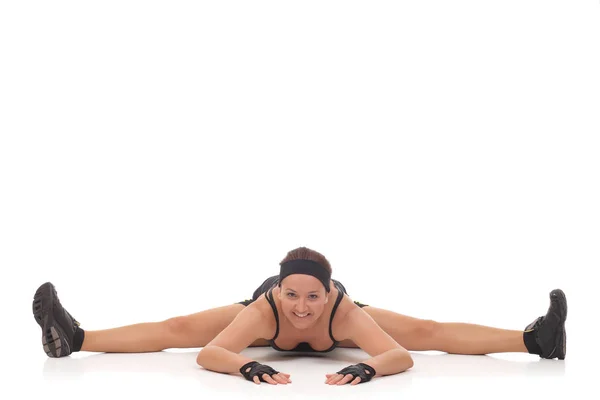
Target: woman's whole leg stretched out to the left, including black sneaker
<point>61,334</point>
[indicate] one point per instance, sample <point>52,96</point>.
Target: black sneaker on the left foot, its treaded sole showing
<point>58,326</point>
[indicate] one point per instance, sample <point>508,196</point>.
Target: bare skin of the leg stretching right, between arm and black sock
<point>451,337</point>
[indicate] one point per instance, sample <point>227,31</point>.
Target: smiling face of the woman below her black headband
<point>303,298</point>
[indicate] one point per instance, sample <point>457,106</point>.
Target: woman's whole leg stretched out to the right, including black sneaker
<point>545,336</point>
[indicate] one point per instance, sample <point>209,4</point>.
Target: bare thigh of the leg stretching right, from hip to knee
<point>411,333</point>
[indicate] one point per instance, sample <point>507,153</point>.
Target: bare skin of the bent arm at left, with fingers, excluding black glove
<point>221,354</point>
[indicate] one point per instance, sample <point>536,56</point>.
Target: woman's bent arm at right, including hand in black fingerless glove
<point>388,357</point>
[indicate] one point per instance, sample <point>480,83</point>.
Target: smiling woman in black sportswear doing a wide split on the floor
<point>301,309</point>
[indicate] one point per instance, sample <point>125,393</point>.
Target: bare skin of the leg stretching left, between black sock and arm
<point>194,330</point>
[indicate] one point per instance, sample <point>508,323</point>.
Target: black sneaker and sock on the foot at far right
<point>546,335</point>
